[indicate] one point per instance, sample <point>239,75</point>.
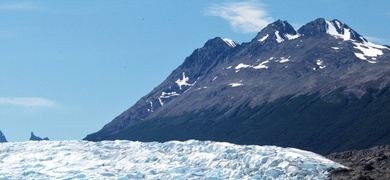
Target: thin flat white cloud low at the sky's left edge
<point>28,102</point>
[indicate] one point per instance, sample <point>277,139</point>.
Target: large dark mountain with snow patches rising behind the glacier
<point>322,88</point>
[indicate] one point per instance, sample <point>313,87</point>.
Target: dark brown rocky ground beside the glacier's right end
<point>373,163</point>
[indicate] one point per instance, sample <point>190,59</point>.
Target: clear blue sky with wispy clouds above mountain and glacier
<point>69,67</point>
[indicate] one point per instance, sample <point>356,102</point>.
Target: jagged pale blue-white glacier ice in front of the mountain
<point>192,159</point>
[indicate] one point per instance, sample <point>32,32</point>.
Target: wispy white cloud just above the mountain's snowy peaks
<point>246,17</point>
